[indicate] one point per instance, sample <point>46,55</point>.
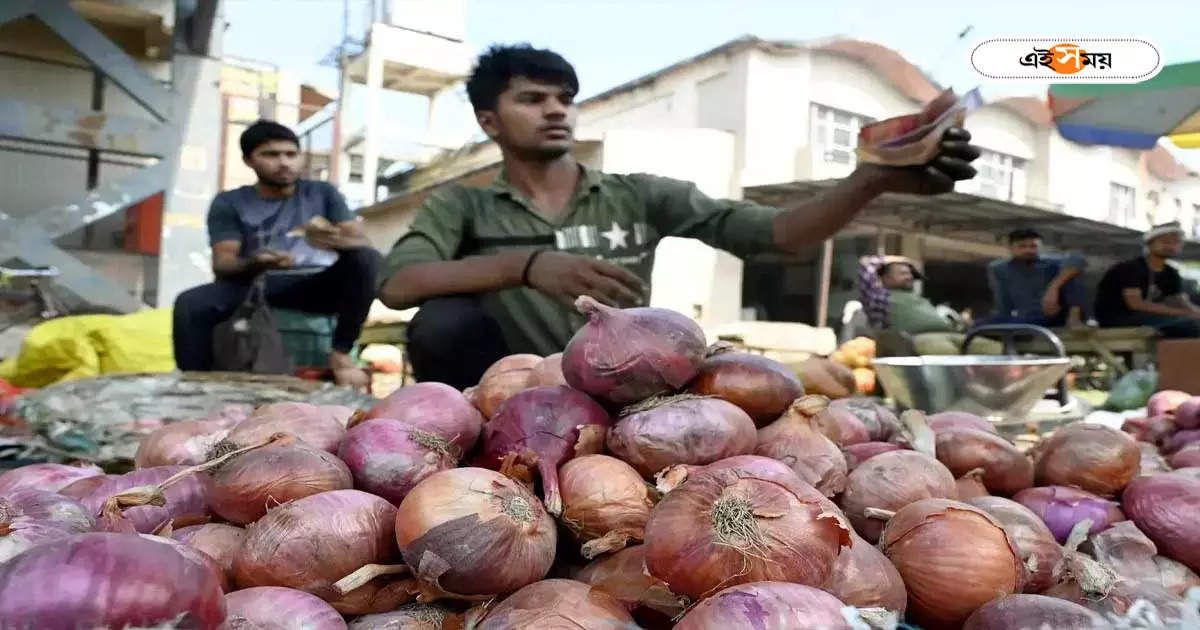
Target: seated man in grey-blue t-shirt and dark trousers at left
<point>322,267</point>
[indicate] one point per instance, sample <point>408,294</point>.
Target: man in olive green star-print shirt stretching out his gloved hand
<point>495,271</point>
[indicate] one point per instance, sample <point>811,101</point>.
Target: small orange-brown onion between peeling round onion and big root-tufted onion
<point>605,503</point>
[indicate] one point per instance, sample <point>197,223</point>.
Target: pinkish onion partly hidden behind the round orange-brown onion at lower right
<point>890,482</point>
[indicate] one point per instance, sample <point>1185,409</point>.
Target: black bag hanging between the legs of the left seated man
<point>249,341</point>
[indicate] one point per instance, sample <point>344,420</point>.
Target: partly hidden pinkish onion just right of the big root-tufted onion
<point>866,579</point>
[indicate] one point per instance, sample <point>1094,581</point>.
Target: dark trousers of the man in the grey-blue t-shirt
<point>345,290</point>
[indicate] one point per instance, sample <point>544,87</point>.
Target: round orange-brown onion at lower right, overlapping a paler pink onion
<point>953,557</point>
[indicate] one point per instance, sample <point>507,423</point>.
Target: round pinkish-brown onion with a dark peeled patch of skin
<point>472,532</point>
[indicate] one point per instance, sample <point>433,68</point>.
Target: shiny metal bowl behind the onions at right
<point>1003,389</point>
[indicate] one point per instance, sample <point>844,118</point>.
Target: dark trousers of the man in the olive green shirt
<point>453,340</point>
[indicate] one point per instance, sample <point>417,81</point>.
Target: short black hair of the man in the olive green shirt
<point>500,64</point>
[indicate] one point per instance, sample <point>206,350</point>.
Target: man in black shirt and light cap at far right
<point>1148,292</point>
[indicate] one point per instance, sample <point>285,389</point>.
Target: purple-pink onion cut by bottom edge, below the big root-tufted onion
<point>766,607</point>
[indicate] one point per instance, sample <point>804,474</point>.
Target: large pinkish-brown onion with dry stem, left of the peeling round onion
<point>311,543</point>
